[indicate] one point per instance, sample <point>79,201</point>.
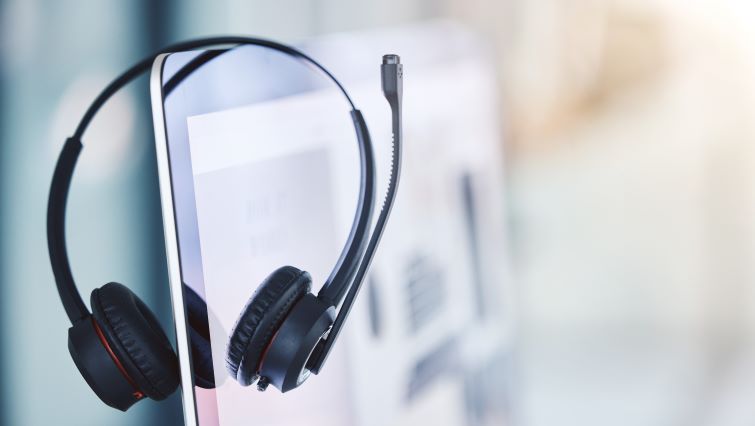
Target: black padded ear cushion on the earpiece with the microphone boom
<point>261,318</point>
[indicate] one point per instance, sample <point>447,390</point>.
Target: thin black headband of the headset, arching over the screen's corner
<point>348,264</point>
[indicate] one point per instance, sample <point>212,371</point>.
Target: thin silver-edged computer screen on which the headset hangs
<point>258,169</point>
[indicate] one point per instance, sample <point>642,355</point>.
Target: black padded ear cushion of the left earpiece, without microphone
<point>137,340</point>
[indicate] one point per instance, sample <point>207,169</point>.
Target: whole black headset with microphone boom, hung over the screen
<point>283,334</point>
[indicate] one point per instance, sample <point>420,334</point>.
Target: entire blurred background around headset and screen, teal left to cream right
<point>630,192</point>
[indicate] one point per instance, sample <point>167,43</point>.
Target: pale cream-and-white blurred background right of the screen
<point>631,133</point>
